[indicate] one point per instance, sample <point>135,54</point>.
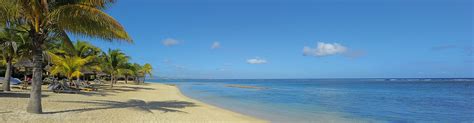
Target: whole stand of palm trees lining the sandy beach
<point>37,30</point>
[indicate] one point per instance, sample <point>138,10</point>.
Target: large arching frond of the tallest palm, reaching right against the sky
<point>88,21</point>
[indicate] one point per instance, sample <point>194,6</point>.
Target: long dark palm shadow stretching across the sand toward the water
<point>164,106</point>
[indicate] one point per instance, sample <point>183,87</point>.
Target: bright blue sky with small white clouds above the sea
<point>299,39</point>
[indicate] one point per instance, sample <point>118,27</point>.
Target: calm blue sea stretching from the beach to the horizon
<point>339,100</point>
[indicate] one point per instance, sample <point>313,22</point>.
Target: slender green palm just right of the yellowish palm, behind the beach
<point>113,61</point>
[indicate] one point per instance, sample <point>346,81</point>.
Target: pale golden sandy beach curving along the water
<point>150,102</point>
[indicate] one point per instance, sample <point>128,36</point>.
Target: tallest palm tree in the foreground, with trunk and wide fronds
<point>44,18</point>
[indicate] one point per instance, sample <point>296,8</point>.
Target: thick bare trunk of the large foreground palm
<point>34,103</point>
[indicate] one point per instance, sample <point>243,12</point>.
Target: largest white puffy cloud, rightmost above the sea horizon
<point>324,49</point>
